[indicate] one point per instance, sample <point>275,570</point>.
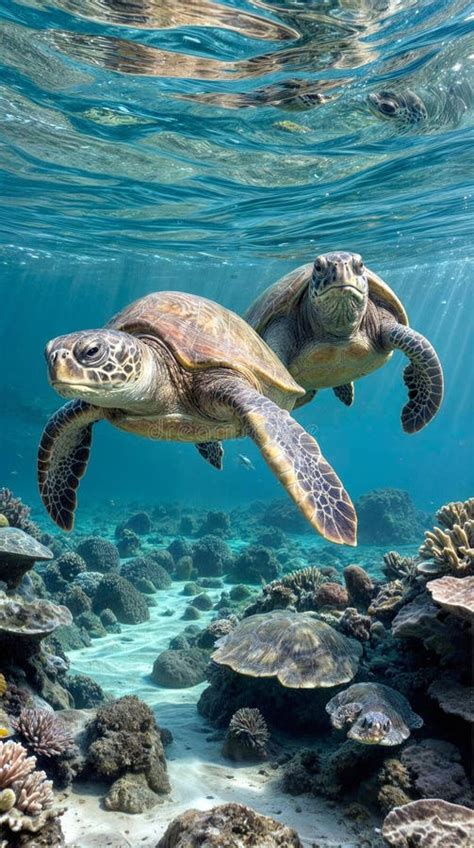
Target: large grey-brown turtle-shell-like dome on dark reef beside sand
<point>298,649</point>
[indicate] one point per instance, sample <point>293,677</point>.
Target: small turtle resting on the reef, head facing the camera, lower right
<point>378,715</point>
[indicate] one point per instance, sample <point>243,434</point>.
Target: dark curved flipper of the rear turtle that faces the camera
<point>423,376</point>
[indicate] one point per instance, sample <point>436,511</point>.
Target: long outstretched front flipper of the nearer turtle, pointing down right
<point>297,461</point>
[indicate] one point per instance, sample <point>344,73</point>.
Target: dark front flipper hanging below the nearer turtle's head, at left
<point>63,455</point>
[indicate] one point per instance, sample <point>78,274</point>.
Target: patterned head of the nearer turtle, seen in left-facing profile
<point>105,367</point>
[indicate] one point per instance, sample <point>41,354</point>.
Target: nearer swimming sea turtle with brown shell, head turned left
<point>179,367</point>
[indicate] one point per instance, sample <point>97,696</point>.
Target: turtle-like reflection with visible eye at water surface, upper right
<point>430,107</point>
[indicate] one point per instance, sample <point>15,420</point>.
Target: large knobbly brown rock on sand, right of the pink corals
<point>124,737</point>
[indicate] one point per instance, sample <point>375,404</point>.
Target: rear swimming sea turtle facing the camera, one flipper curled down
<point>334,321</point>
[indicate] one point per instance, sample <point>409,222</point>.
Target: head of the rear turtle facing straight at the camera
<point>339,292</point>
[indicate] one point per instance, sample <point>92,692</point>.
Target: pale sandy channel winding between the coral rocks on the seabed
<point>200,776</point>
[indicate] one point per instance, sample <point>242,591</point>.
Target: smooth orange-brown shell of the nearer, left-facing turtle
<point>202,334</point>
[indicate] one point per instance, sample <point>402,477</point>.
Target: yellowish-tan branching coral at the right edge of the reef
<point>450,548</point>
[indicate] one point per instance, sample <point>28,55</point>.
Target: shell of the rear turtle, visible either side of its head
<point>280,298</point>
